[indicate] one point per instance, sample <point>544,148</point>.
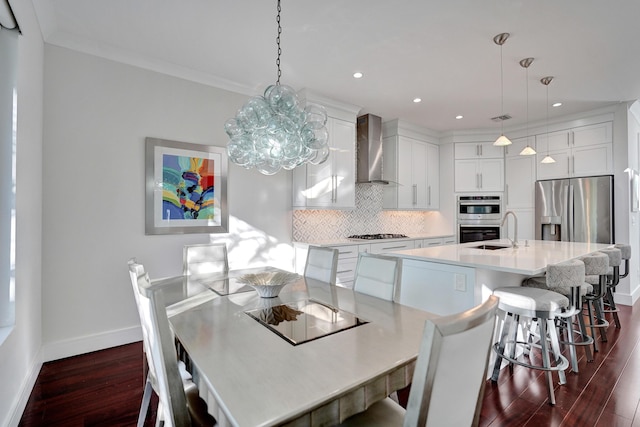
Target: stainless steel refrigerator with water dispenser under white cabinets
<point>575,209</point>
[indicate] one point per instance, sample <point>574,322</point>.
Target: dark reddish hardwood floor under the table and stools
<point>104,388</point>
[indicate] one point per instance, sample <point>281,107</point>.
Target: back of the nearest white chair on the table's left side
<point>161,354</point>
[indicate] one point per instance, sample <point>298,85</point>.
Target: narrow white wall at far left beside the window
<point>20,359</point>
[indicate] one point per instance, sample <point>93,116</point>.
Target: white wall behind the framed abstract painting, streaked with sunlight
<point>97,115</point>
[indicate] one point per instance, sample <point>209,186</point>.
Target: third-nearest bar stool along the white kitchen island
<point>596,267</point>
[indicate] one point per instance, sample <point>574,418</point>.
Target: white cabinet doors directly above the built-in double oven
<point>478,167</point>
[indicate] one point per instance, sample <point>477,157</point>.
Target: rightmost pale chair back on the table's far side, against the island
<point>378,276</point>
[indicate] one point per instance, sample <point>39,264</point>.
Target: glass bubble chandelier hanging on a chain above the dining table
<point>277,130</point>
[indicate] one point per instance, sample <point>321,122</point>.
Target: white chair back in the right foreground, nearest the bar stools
<point>450,374</point>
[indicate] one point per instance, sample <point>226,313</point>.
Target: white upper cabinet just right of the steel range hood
<point>412,168</point>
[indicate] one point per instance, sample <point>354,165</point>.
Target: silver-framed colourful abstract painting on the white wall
<point>186,188</point>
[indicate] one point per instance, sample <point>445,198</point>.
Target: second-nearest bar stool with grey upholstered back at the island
<point>567,278</point>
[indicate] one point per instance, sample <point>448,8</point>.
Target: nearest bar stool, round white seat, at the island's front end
<point>532,304</point>
